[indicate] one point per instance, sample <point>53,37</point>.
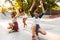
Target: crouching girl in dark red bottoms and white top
<point>14,24</point>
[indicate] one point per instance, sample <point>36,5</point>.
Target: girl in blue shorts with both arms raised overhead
<point>36,27</point>
